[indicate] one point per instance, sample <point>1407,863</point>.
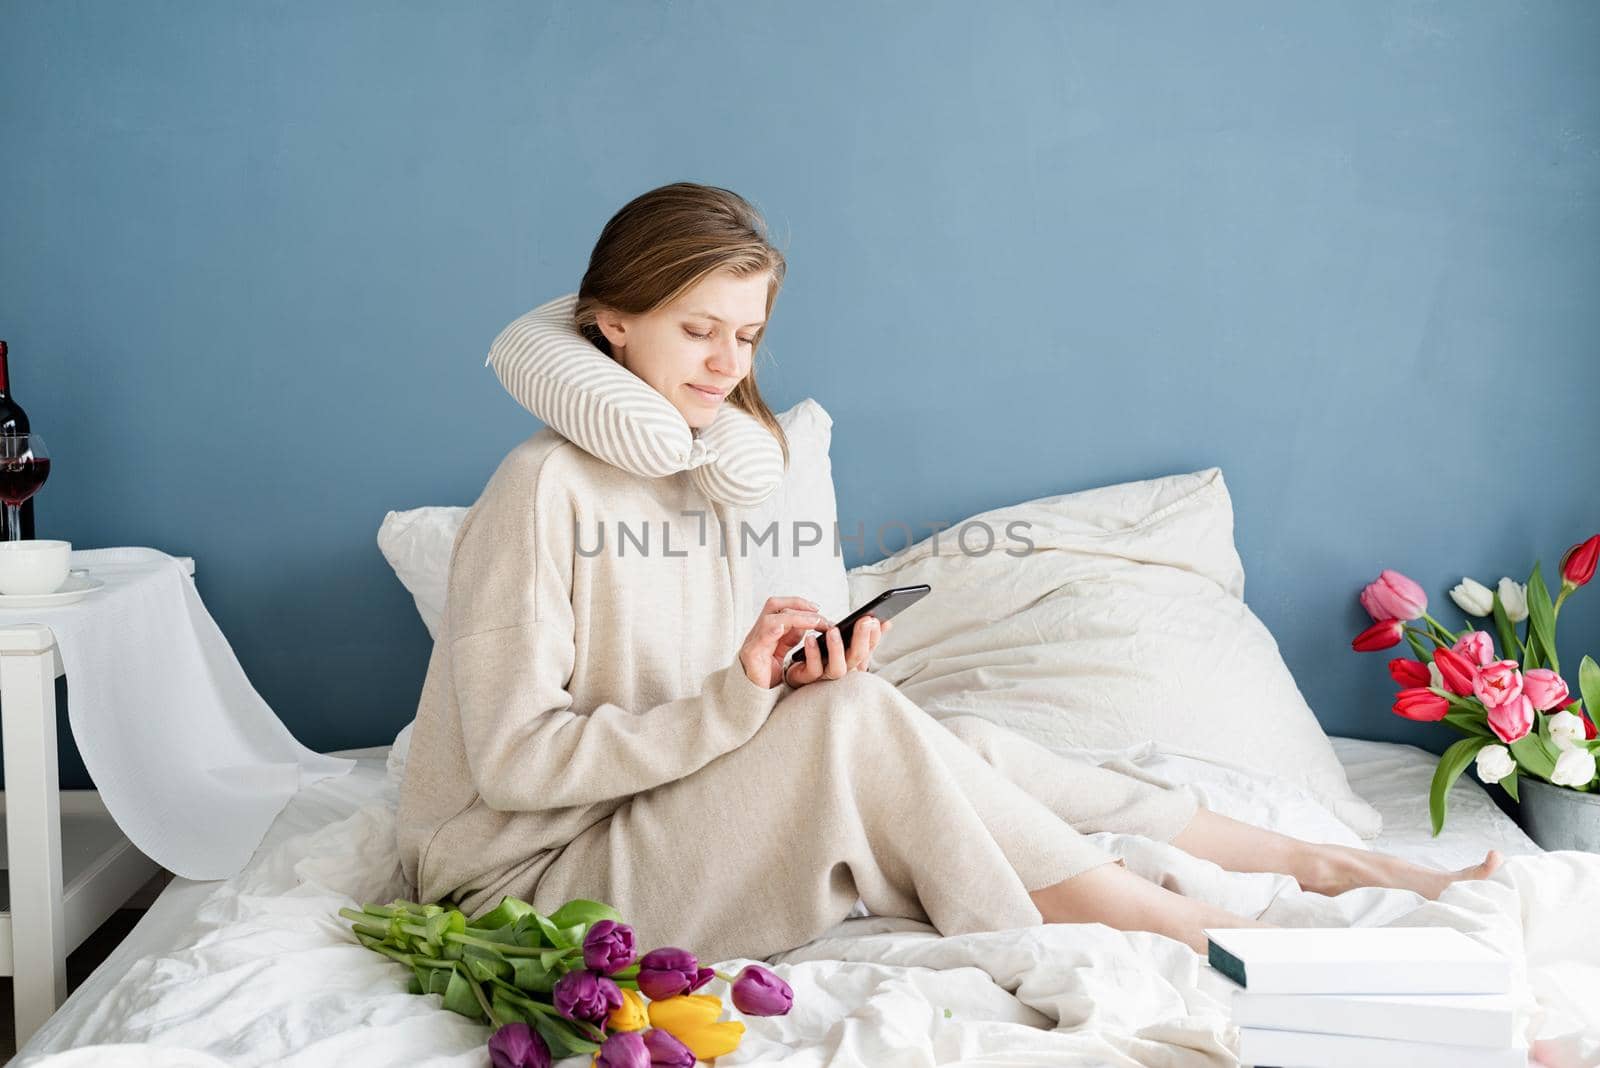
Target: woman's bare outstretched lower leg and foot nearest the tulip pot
<point>1318,867</point>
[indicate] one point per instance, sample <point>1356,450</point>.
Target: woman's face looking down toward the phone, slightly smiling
<point>697,349</point>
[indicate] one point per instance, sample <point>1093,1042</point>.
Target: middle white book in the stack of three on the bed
<point>1444,1019</point>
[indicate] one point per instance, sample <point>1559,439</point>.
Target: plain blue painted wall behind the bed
<point>252,258</point>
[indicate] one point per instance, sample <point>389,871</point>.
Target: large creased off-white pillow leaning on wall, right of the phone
<point>1127,623</point>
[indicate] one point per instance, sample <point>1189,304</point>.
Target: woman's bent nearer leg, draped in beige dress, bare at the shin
<point>847,791</point>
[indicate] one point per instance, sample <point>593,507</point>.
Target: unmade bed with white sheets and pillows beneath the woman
<point>1122,634</point>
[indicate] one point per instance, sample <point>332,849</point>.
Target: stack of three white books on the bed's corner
<point>1369,997</point>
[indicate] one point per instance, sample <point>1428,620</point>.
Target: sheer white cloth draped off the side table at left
<point>186,755</point>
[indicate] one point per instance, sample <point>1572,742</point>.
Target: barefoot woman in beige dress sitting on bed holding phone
<point>585,735</point>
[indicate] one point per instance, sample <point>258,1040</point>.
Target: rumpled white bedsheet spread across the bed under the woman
<point>258,970</point>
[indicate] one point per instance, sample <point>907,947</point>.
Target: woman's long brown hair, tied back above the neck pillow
<point>662,245</point>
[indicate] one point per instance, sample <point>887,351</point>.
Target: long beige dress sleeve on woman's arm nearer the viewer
<point>511,629</point>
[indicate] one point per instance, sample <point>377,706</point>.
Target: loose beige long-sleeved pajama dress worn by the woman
<point>586,731</point>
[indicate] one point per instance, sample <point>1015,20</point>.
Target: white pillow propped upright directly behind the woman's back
<point>418,543</point>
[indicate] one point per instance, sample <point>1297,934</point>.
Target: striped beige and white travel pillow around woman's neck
<point>567,383</point>
